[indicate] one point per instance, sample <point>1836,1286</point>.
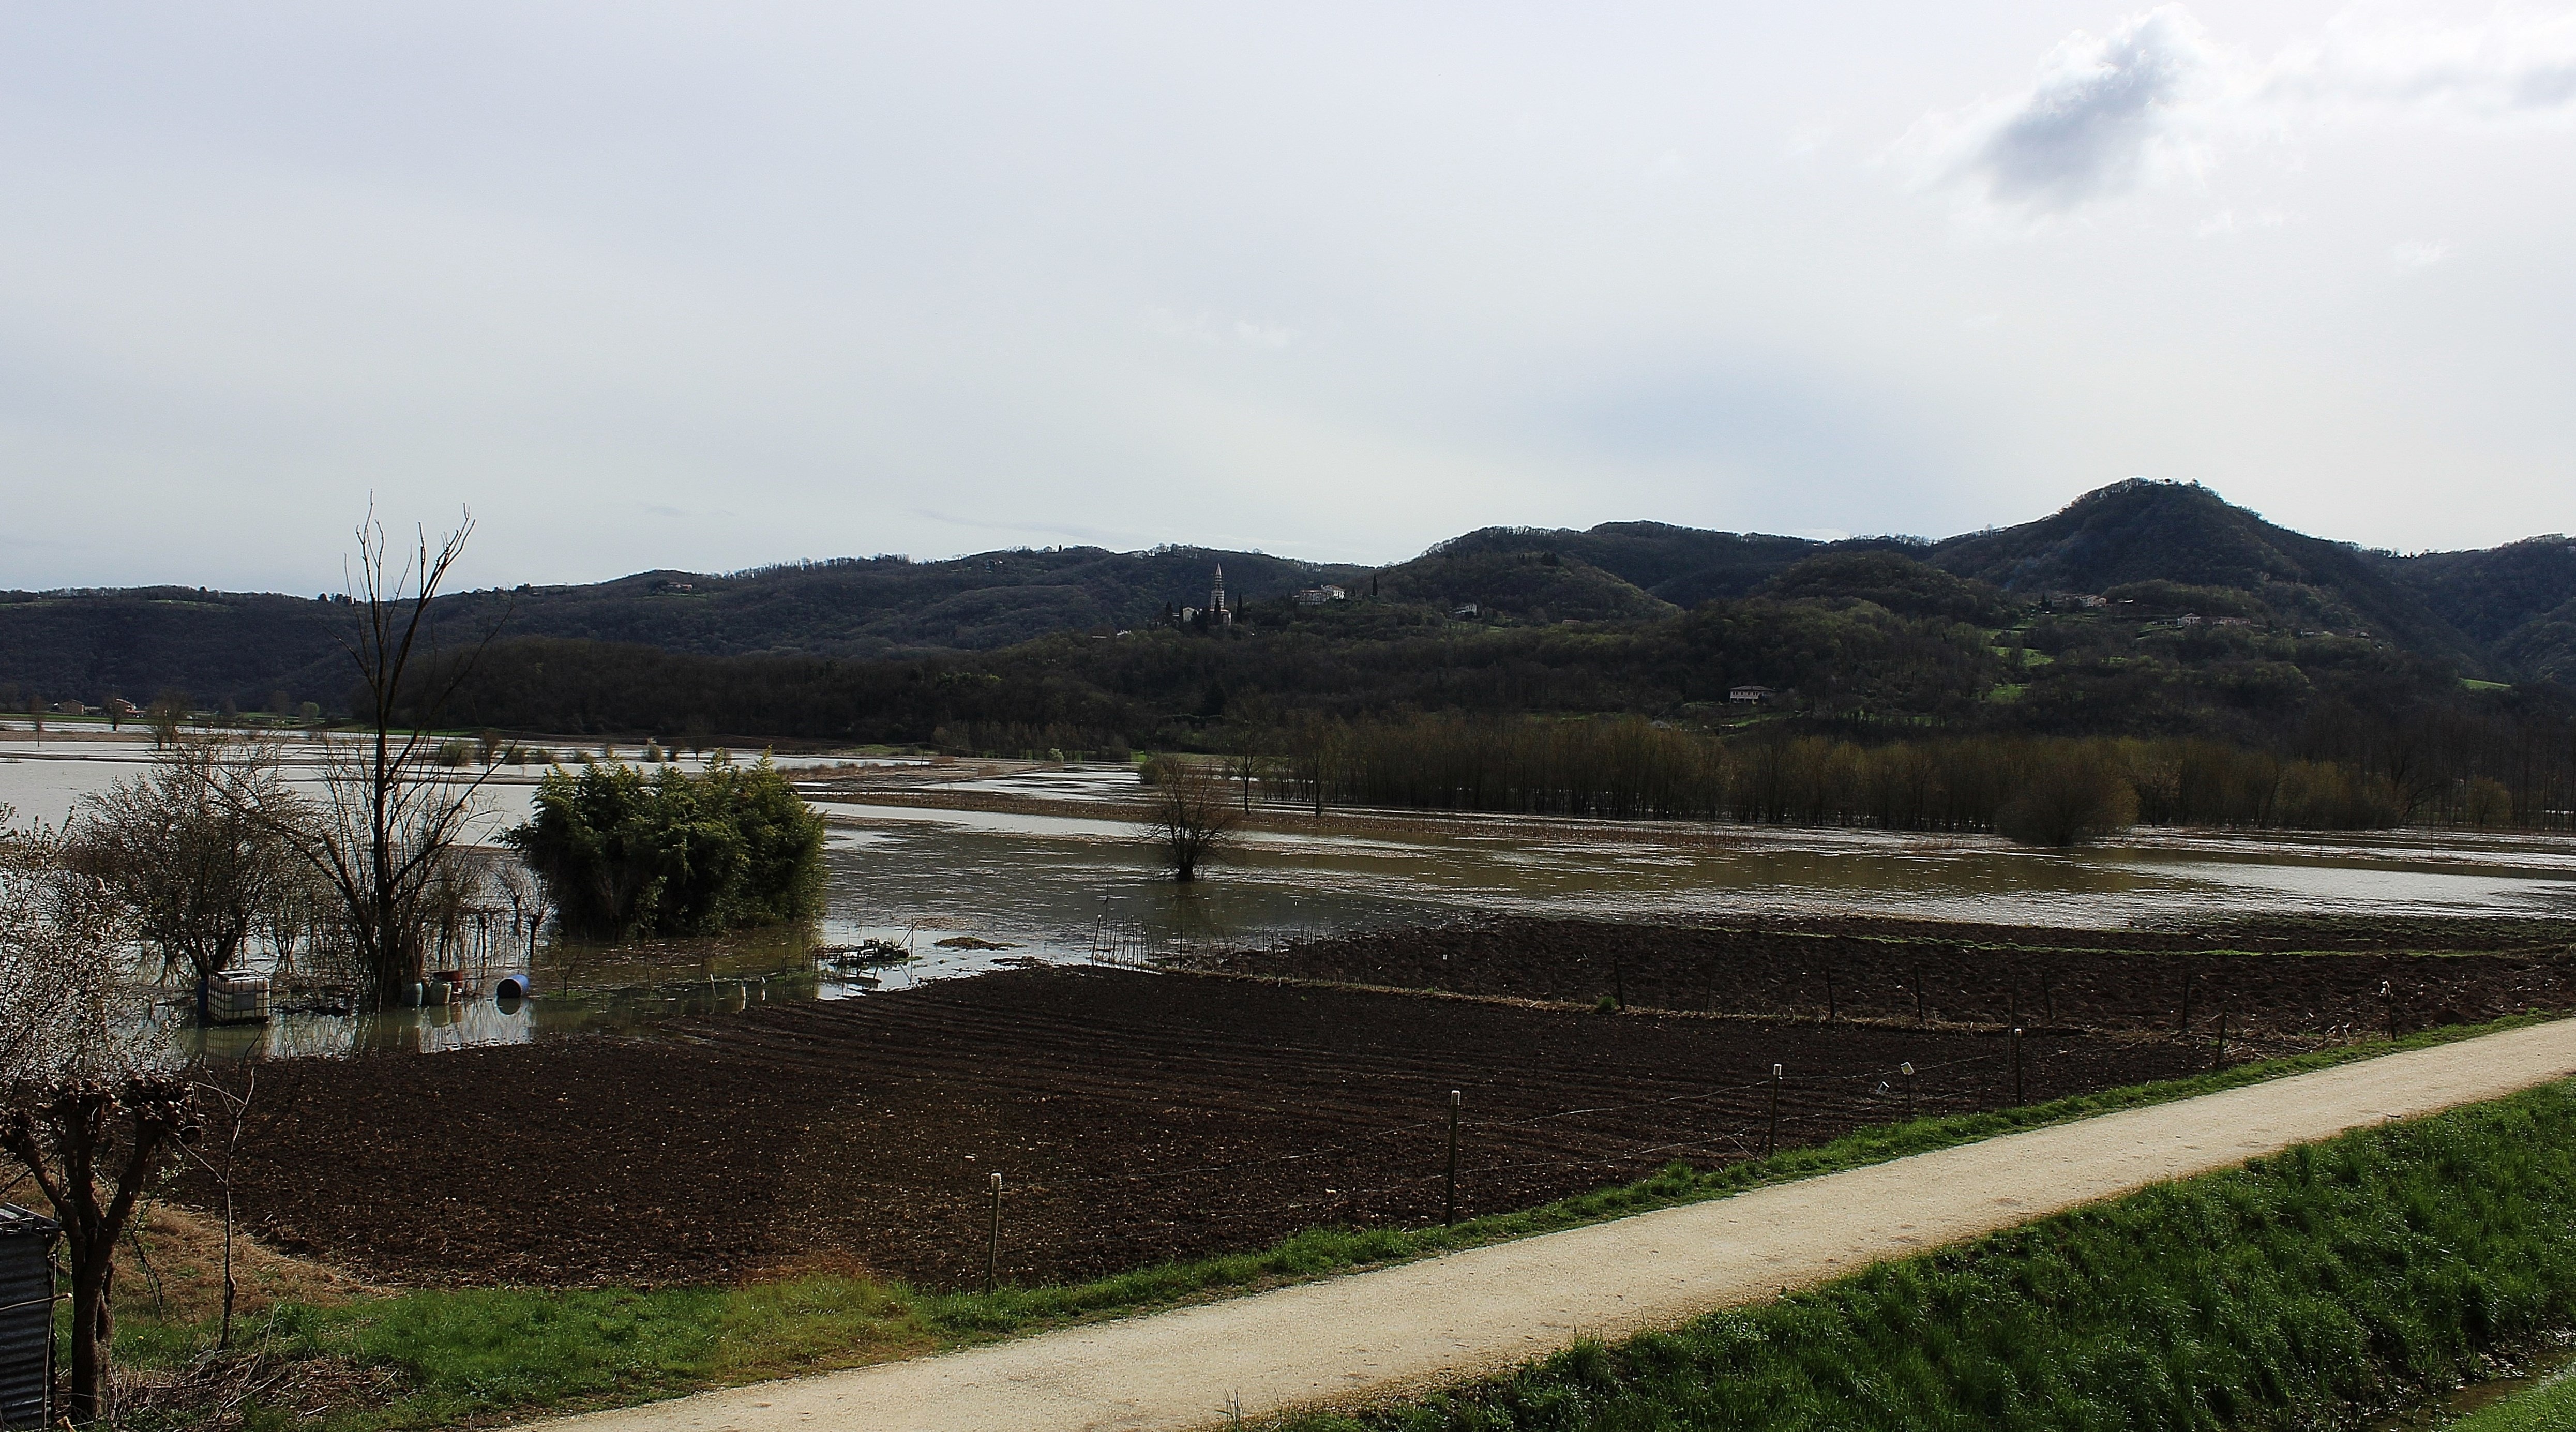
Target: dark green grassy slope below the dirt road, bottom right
<point>2299,1292</point>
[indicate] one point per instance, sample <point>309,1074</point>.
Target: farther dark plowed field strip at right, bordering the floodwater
<point>2276,985</point>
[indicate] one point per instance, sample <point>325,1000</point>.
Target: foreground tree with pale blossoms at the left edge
<point>94,1104</point>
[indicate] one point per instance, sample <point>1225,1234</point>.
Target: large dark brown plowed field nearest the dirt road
<point>1135,1119</point>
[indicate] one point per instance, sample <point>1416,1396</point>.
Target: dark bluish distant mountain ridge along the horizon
<point>2505,614</point>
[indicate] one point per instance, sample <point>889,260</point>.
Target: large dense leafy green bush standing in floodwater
<point>674,854</point>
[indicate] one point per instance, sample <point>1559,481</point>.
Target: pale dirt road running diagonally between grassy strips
<point>1495,1307</point>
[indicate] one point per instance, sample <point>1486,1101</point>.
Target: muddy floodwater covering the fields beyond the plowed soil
<point>1086,887</point>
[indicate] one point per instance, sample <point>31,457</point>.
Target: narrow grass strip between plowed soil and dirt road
<point>483,1353</point>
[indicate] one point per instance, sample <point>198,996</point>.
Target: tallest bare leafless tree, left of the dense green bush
<point>390,815</point>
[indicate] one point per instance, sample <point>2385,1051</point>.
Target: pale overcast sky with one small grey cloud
<point>728,285</point>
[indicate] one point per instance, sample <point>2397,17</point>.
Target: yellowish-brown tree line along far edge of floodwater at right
<point>2047,789</point>
